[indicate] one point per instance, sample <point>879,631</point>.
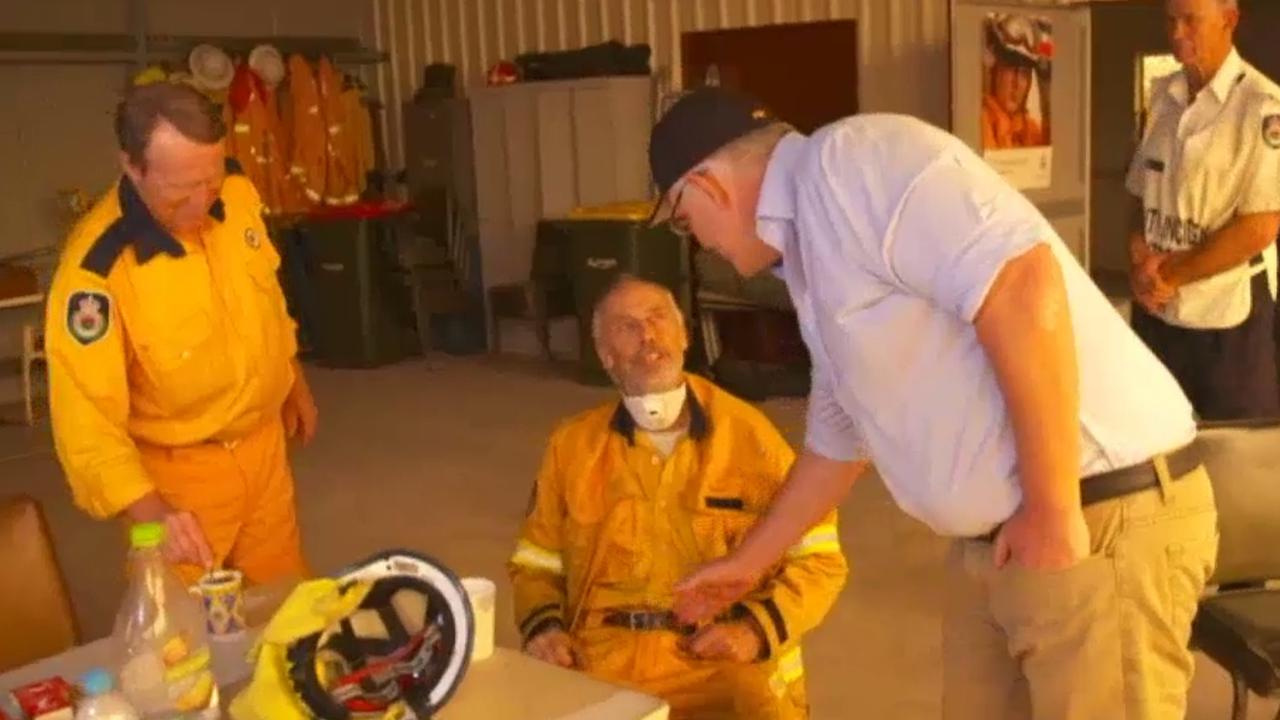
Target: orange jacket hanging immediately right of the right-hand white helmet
<point>308,134</point>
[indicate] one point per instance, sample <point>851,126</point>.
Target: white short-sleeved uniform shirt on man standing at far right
<point>1203,163</point>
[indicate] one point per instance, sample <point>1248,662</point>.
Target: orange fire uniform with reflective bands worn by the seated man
<point>615,526</point>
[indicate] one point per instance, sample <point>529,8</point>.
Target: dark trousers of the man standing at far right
<point>1228,375</point>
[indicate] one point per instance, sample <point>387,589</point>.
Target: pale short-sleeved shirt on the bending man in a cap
<point>892,233</point>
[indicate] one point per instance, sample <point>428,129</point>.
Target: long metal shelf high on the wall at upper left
<point>80,49</point>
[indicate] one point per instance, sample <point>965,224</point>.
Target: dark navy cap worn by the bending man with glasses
<point>696,127</point>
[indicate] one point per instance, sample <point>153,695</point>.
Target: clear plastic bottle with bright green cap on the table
<point>166,664</point>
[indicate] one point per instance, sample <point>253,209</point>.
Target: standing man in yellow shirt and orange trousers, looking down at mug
<point>173,380</point>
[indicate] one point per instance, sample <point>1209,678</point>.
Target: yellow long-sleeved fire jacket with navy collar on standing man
<point>162,341</point>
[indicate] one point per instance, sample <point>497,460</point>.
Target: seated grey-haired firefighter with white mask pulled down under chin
<point>634,495</point>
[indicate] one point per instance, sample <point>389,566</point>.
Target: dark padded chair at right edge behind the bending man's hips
<point>1240,627</point>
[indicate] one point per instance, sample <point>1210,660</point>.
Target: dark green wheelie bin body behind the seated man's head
<point>598,250</point>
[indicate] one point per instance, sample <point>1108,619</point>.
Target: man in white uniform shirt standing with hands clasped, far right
<point>1208,183</point>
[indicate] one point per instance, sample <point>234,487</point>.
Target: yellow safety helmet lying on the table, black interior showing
<point>388,640</point>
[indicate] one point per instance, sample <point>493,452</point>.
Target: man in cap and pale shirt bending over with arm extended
<point>959,347</point>
